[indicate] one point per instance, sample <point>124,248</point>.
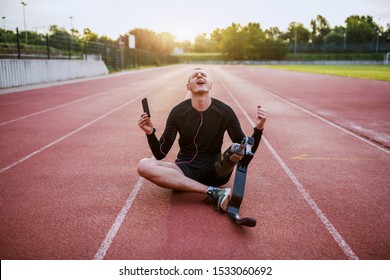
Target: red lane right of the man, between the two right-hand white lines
<point>333,167</point>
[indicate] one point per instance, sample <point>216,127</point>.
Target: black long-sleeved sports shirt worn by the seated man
<point>200,133</point>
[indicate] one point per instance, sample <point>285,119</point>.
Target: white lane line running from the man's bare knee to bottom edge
<point>118,221</point>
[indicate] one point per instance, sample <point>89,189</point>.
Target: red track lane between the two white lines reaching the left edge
<point>51,125</point>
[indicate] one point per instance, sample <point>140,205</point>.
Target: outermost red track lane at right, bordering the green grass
<point>358,105</point>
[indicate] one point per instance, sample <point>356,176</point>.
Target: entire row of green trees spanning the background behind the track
<point>360,34</point>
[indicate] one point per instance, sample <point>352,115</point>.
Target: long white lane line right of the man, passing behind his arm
<point>331,229</point>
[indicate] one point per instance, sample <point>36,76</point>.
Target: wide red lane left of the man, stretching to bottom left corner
<point>55,203</point>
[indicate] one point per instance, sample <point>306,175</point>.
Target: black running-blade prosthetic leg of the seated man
<point>239,185</point>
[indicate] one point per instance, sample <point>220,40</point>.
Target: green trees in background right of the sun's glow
<point>360,34</point>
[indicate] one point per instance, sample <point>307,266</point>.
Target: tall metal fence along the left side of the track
<point>44,46</point>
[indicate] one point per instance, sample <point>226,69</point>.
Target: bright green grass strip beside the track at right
<point>372,72</point>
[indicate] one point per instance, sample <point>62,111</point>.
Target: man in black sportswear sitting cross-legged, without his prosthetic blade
<point>201,122</point>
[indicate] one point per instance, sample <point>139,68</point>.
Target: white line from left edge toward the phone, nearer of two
<point>71,133</point>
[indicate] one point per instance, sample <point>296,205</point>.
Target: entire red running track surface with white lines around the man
<point>318,186</point>
